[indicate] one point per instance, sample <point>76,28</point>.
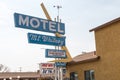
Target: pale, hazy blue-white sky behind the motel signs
<point>79,17</point>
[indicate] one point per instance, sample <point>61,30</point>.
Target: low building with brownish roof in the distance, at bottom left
<point>19,76</point>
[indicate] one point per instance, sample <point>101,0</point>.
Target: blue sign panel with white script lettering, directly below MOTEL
<point>46,40</point>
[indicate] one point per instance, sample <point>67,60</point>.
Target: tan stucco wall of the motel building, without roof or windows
<point>108,48</point>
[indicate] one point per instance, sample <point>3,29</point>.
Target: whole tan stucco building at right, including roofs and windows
<point>102,64</point>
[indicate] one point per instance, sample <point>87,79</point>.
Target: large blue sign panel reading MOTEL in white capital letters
<point>34,23</point>
